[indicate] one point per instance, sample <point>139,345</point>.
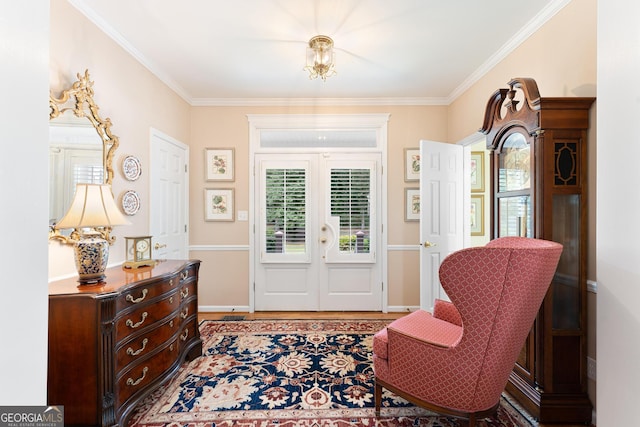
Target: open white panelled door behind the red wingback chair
<point>441,213</point>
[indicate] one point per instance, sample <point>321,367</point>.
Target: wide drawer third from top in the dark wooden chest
<point>146,343</point>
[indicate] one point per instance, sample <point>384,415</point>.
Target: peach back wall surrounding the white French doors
<point>224,279</point>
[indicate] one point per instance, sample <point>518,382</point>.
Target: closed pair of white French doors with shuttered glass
<point>317,234</point>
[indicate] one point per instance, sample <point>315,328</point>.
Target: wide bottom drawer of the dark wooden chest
<point>142,374</point>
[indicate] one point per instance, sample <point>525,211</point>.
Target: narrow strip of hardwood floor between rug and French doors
<point>325,315</point>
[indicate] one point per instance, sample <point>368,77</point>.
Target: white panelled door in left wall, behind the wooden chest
<point>169,202</point>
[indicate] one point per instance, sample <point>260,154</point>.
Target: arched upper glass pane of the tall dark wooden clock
<point>514,164</point>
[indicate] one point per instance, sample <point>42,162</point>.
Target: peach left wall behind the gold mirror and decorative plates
<point>127,93</point>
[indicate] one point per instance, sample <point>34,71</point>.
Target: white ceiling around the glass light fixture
<point>252,52</point>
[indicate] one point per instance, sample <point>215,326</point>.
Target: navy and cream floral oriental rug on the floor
<point>293,373</point>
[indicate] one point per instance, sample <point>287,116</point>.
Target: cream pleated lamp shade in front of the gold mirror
<point>92,206</point>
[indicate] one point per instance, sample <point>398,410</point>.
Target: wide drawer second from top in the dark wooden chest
<point>145,316</point>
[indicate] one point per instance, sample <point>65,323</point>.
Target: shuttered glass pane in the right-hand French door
<point>350,201</point>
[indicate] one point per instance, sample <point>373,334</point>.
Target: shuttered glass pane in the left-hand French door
<point>285,230</point>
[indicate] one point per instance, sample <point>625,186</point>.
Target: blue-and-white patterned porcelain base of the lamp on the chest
<point>91,256</point>
